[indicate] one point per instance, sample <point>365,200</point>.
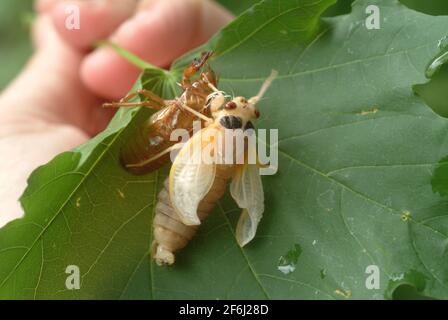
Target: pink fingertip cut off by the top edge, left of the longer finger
<point>82,23</point>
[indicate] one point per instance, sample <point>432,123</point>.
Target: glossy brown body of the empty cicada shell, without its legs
<point>153,137</point>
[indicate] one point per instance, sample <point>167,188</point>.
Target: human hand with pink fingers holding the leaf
<point>54,104</point>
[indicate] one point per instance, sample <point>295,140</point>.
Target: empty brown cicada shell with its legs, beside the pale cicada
<point>148,149</point>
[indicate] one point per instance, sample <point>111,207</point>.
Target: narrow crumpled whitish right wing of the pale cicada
<point>247,190</point>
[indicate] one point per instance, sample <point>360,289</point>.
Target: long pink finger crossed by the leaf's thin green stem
<point>160,32</point>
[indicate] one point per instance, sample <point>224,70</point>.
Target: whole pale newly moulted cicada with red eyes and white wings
<point>193,187</point>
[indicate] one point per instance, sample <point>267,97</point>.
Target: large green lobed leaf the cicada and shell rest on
<point>357,154</point>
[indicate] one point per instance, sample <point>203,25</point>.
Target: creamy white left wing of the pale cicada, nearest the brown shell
<point>190,179</point>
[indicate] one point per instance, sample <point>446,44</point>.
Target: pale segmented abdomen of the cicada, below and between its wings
<point>169,233</point>
